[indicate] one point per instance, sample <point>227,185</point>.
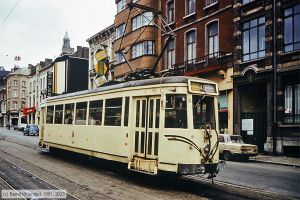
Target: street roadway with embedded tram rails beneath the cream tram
<point>94,179</point>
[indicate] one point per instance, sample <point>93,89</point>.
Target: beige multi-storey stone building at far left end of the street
<point>16,91</point>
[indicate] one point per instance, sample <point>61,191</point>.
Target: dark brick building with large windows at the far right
<point>266,84</point>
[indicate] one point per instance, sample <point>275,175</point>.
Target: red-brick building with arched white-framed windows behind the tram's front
<point>203,46</point>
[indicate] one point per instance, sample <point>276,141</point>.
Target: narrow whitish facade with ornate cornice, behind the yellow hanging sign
<point>97,43</point>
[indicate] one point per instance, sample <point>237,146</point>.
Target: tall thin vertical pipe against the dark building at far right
<point>274,79</point>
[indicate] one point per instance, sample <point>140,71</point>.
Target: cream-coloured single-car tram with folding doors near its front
<point>163,124</point>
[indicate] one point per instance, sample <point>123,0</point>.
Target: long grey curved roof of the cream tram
<point>136,83</point>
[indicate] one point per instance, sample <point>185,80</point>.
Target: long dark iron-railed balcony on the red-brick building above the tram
<point>203,64</point>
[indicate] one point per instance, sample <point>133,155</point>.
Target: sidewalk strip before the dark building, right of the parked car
<point>281,160</point>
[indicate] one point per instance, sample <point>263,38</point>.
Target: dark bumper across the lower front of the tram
<point>189,169</point>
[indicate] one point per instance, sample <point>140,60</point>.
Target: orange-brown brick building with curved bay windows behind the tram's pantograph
<point>141,38</point>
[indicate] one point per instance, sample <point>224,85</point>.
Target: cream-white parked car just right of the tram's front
<point>232,146</point>
